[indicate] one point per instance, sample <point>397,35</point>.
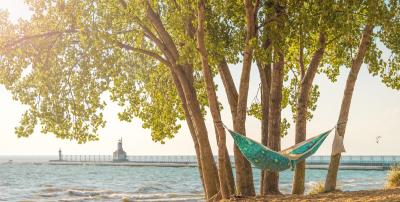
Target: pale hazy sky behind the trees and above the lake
<point>375,111</point>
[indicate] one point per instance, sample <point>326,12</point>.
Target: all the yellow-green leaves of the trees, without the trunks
<point>62,61</point>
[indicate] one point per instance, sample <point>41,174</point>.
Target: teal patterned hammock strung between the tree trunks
<point>266,159</point>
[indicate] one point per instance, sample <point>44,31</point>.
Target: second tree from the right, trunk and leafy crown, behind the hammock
<point>318,26</point>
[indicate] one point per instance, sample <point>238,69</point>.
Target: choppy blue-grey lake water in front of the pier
<point>23,180</point>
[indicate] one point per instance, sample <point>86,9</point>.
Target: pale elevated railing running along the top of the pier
<point>313,160</point>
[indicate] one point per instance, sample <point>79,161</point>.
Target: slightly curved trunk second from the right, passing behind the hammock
<point>301,114</point>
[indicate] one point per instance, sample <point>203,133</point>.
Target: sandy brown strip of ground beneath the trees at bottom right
<point>361,196</point>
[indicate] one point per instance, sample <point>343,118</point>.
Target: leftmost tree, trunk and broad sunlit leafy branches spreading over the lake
<point>84,44</point>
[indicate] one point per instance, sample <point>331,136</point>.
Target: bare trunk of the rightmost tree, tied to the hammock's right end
<point>330,183</point>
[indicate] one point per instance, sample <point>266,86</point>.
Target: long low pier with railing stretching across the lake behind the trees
<point>313,162</point>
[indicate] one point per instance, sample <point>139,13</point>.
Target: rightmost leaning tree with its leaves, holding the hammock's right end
<point>386,16</point>
